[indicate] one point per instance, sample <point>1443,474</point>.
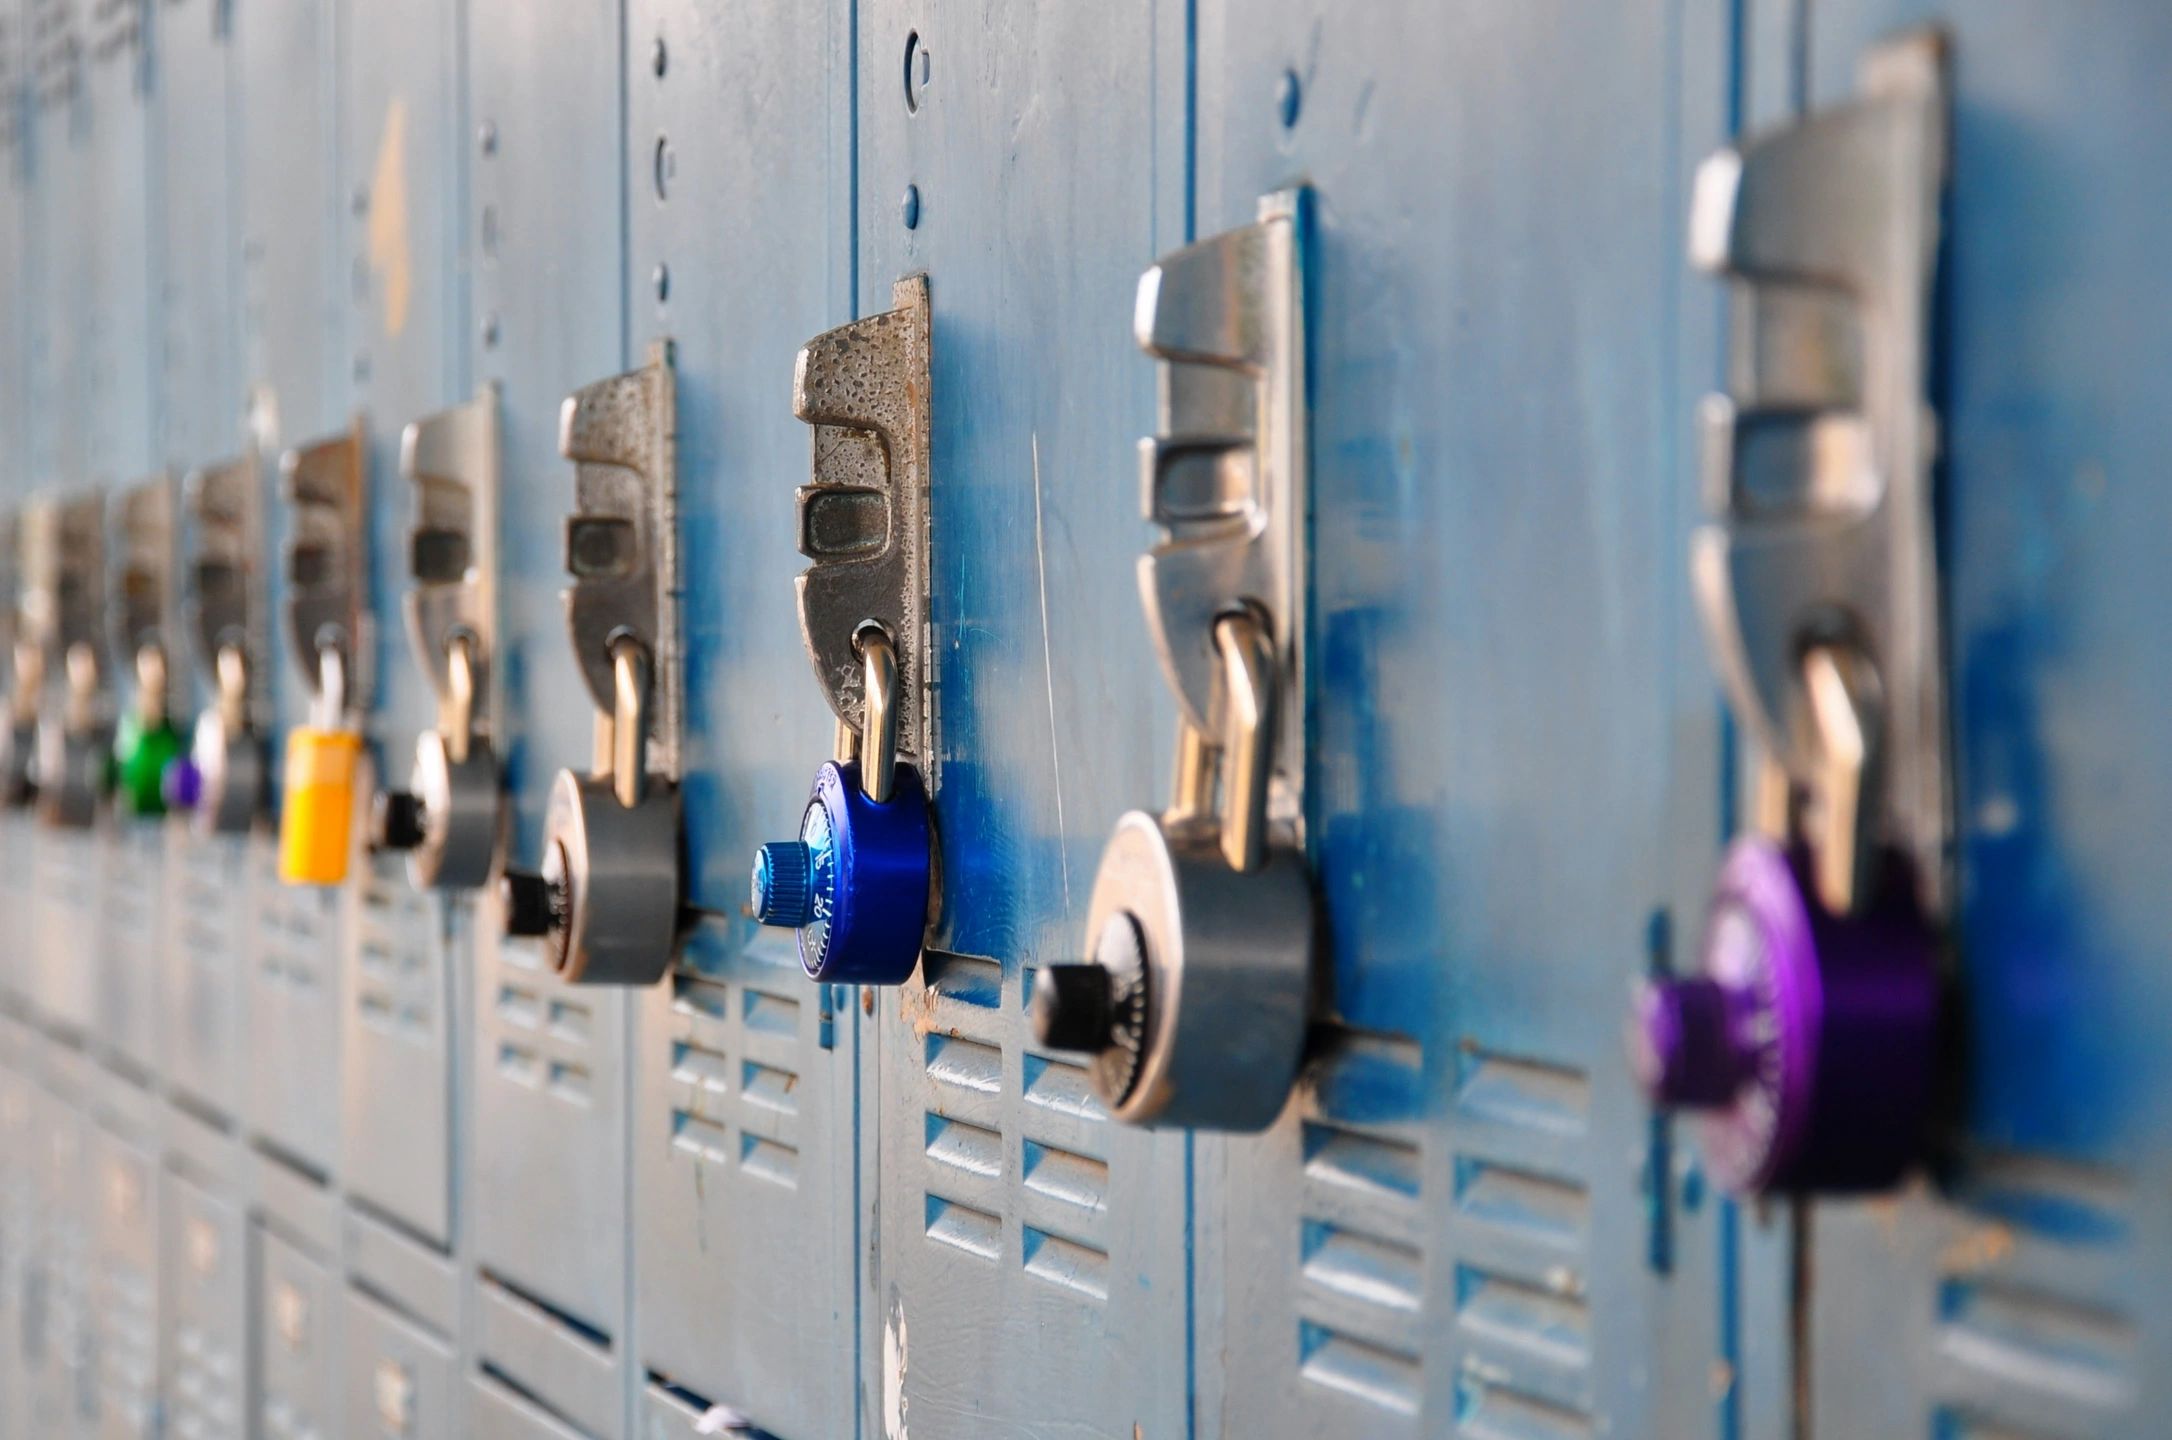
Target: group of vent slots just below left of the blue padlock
<point>735,1061</point>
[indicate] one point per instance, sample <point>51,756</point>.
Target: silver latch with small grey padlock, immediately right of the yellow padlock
<point>451,816</point>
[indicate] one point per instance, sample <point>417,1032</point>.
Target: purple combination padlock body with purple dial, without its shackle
<point>1808,1041</point>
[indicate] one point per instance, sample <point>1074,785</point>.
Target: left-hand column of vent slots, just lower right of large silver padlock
<point>1361,1237</point>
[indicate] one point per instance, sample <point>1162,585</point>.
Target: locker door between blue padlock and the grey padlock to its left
<point>744,1076</point>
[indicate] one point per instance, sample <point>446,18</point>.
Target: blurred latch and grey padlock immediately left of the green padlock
<point>66,598</point>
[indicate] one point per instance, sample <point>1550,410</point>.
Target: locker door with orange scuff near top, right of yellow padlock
<point>403,162</point>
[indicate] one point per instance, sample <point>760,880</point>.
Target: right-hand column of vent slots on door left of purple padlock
<point>1521,1224</point>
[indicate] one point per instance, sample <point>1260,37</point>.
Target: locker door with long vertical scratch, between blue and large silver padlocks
<point>1033,1256</point>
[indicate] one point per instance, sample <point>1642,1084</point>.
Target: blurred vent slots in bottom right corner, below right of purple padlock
<point>2032,1332</point>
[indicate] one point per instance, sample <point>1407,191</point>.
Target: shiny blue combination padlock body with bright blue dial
<point>857,881</point>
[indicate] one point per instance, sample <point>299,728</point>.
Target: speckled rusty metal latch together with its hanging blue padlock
<point>857,883</point>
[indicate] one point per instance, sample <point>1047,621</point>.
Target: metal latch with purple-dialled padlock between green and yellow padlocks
<point>225,783</point>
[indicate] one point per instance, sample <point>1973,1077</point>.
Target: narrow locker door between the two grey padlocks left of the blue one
<point>546,233</point>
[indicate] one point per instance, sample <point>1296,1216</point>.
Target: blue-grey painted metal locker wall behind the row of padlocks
<point>233,225</point>
